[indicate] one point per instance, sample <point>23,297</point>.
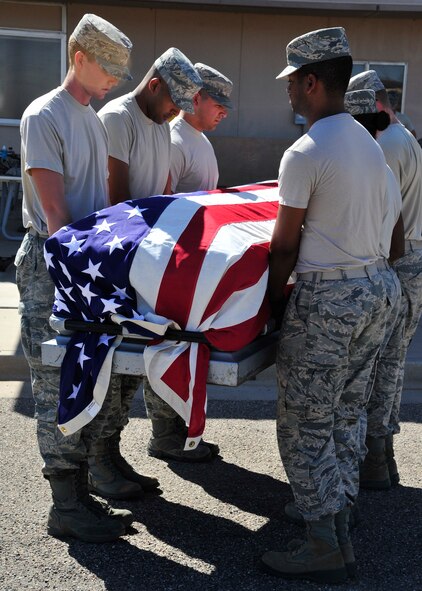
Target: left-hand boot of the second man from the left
<point>104,478</point>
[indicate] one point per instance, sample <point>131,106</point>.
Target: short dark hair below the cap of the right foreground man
<point>334,73</point>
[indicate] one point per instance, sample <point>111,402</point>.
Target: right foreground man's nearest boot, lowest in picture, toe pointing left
<point>317,559</point>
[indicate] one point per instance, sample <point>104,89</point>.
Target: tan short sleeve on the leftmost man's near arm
<point>43,144</point>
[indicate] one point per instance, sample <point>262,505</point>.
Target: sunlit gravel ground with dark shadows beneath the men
<point>211,524</point>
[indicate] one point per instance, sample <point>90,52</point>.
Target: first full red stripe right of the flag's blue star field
<point>178,284</point>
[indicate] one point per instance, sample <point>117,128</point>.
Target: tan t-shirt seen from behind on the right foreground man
<point>337,172</point>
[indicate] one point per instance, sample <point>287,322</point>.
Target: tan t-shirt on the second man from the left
<point>139,142</point>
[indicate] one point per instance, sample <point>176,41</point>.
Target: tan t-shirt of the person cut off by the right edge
<point>404,157</point>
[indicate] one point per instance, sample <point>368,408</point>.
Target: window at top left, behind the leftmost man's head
<point>31,64</point>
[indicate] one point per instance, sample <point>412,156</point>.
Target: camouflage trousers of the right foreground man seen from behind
<point>329,341</point>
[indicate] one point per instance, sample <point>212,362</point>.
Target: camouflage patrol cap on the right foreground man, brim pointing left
<point>317,46</point>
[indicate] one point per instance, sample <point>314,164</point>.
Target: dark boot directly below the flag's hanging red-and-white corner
<point>167,444</point>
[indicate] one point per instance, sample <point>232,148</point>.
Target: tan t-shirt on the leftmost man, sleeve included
<point>60,134</point>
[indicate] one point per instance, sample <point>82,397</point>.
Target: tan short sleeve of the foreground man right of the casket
<point>296,179</point>
